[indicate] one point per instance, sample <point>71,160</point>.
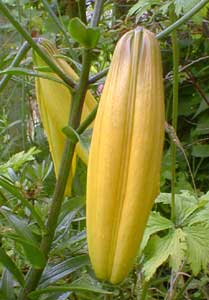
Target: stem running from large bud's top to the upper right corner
<point>182,20</point>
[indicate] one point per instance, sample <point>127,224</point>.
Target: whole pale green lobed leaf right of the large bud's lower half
<point>186,241</point>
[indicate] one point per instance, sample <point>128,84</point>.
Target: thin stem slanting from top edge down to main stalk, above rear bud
<point>60,27</point>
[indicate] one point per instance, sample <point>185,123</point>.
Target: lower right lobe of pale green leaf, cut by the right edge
<point>197,238</point>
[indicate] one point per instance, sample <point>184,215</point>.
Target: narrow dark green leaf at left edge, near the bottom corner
<point>11,267</point>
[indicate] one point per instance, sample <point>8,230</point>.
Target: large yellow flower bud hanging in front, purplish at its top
<point>125,155</point>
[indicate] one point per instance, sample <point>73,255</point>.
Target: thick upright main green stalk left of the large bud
<point>74,120</point>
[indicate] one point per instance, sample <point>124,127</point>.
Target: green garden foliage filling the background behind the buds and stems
<point>174,255</point>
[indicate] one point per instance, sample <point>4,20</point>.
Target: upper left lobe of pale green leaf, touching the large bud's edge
<point>155,224</point>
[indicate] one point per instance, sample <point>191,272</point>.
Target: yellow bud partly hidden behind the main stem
<point>54,101</point>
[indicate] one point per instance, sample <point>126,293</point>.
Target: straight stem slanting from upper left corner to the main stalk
<point>35,46</point>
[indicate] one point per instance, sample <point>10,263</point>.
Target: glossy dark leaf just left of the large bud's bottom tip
<point>59,271</point>
